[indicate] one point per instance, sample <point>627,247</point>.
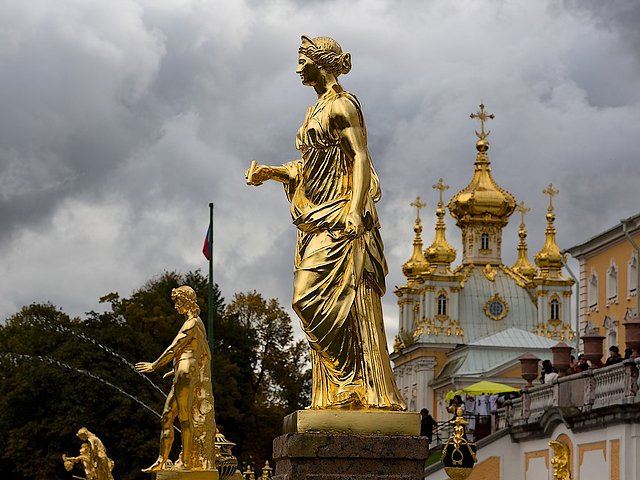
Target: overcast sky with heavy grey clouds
<point>122,119</point>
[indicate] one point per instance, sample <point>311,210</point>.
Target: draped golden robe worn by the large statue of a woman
<point>338,279</point>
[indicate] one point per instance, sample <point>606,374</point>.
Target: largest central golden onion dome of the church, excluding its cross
<point>483,198</point>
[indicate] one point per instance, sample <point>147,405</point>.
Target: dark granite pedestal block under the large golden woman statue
<point>321,456</point>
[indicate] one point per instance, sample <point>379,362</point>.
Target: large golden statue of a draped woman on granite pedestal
<point>339,263</point>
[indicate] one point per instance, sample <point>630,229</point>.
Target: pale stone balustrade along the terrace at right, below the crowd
<point>585,391</point>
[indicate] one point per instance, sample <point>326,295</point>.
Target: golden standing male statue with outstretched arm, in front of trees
<point>190,398</point>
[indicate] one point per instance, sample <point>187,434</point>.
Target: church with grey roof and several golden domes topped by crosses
<point>459,324</point>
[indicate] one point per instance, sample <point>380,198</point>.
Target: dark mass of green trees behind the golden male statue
<point>58,374</point>
